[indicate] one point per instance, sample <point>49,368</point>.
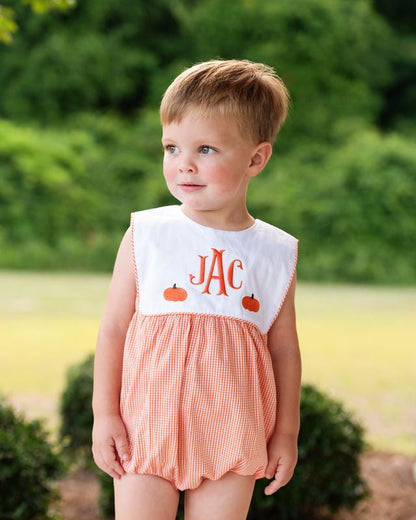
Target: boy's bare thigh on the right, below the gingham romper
<point>227,498</point>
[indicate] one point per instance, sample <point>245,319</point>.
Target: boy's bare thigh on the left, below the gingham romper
<point>145,497</point>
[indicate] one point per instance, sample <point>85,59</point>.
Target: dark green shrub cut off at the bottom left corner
<point>28,466</point>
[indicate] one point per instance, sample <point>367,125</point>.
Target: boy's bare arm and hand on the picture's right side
<point>284,350</point>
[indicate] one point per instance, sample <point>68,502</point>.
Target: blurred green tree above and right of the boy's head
<point>334,56</point>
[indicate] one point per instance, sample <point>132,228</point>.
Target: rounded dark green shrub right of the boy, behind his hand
<point>327,476</point>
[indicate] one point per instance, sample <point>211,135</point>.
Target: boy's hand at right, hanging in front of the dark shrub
<point>283,455</point>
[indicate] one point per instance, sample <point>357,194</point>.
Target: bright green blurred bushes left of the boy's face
<point>79,185</point>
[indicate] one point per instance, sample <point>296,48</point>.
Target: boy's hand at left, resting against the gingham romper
<point>110,445</point>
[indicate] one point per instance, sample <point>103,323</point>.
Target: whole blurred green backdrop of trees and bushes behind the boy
<point>80,137</point>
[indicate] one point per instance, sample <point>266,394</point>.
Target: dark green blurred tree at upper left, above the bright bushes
<point>99,55</point>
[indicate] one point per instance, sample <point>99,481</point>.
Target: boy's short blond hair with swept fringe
<point>250,93</point>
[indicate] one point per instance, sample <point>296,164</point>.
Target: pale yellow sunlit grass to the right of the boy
<point>358,343</point>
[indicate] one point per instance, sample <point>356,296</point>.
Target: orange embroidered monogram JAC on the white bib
<point>216,272</point>
